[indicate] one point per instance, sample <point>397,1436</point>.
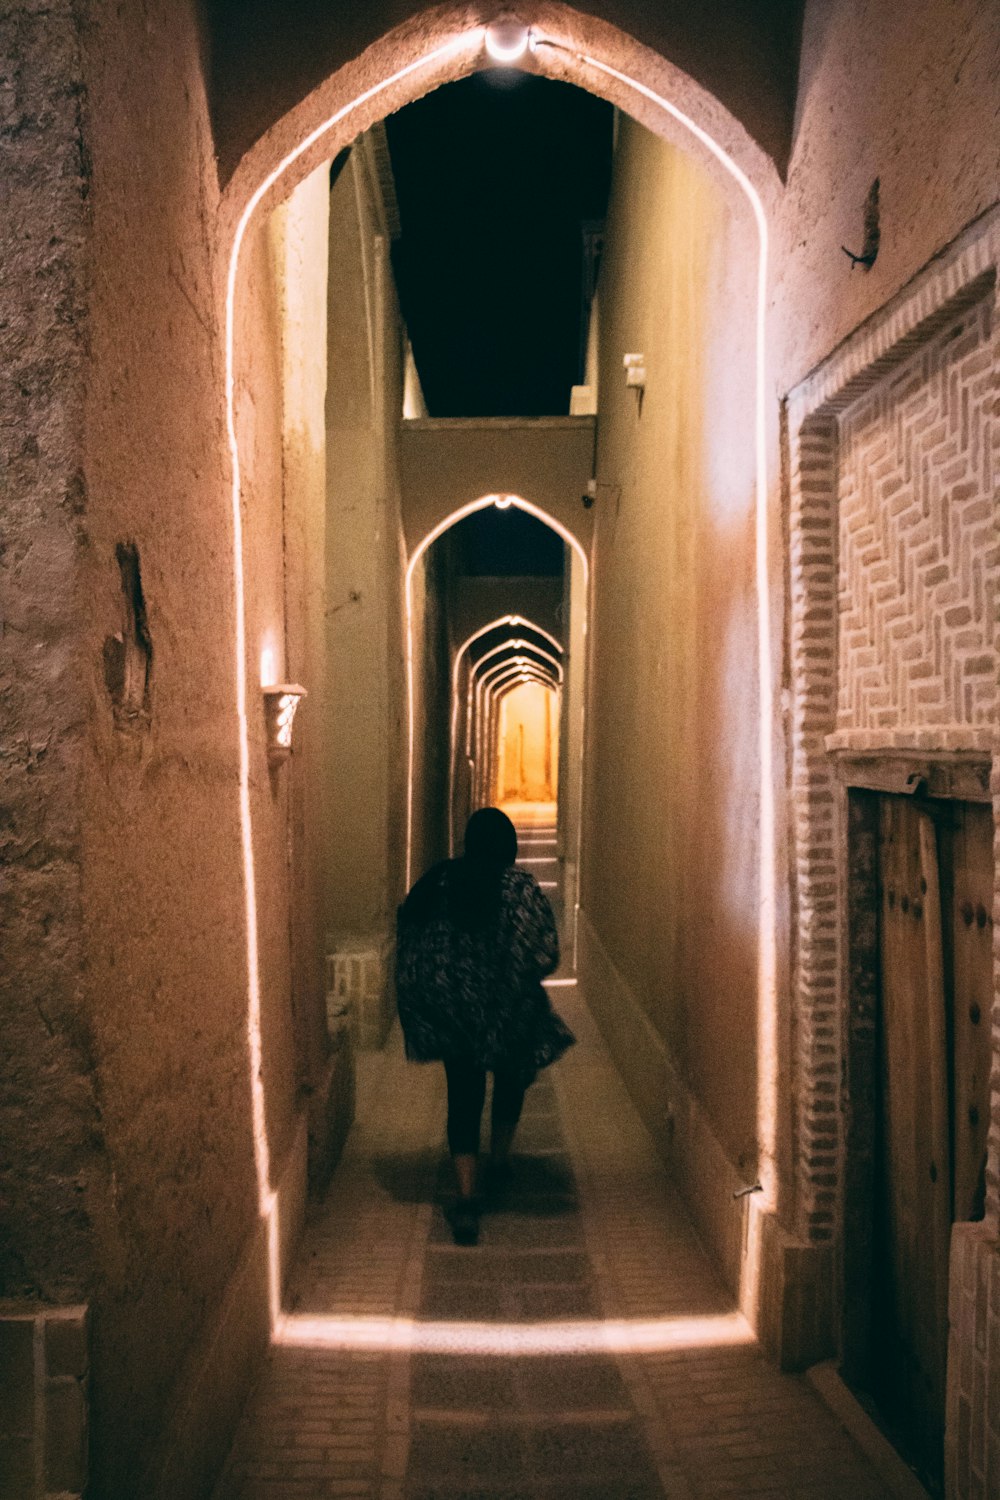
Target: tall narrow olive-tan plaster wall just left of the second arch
<point>365,721</point>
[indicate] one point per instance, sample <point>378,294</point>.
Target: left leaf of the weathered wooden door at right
<point>914,1201</point>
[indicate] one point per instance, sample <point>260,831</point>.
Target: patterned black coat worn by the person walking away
<point>476,994</point>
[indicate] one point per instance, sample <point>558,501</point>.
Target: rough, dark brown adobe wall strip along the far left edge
<point>53,1169</point>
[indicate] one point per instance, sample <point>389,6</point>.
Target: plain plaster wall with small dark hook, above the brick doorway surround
<point>909,95</point>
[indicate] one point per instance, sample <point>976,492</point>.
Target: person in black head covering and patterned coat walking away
<point>476,937</point>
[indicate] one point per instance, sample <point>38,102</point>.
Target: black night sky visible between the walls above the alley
<point>497,178</point>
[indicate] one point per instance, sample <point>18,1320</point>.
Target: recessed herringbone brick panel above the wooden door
<point>918,541</point>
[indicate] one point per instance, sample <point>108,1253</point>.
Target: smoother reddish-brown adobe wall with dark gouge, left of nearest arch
<point>166,958</point>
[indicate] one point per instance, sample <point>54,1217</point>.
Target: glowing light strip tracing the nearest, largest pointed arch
<point>472,41</point>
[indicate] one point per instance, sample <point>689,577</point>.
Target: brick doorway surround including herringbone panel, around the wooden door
<point>894,461</point>
